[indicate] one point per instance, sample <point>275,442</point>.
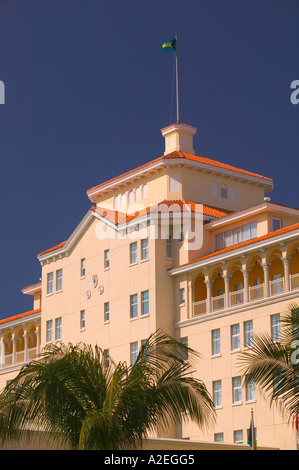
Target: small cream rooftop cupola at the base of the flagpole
<point>179,136</point>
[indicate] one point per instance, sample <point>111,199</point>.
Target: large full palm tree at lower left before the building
<point>79,395</point>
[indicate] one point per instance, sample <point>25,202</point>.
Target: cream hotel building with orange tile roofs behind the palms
<point>131,267</point>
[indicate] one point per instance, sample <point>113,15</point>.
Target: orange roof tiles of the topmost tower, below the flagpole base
<point>183,155</point>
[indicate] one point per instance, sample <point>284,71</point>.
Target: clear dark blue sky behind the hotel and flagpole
<point>88,88</point>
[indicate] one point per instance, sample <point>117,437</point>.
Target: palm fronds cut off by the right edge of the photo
<point>274,364</point>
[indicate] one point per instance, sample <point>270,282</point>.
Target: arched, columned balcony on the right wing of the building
<point>241,284</point>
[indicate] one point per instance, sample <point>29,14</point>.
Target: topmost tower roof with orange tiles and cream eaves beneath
<point>183,157</point>
